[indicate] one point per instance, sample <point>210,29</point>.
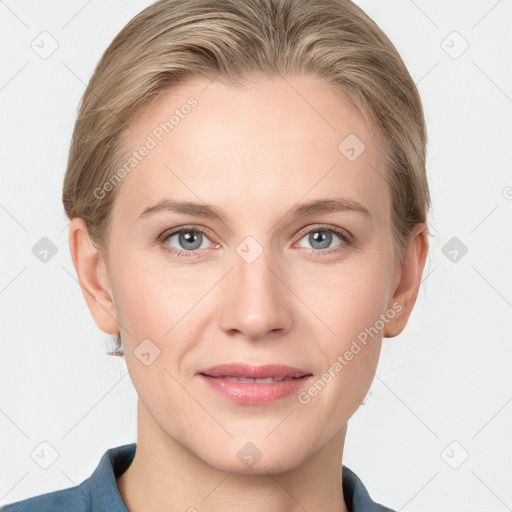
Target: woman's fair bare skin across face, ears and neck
<point>253,152</point>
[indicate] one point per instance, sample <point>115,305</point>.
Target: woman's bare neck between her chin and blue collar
<point>165,476</point>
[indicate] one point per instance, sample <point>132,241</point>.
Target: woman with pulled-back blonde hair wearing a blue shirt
<point>247,193</point>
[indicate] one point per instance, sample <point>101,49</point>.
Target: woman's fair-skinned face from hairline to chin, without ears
<point>256,277</point>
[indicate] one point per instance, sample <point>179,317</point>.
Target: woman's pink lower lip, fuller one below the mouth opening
<point>253,393</point>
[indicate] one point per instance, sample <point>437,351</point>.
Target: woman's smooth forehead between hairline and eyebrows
<point>272,142</point>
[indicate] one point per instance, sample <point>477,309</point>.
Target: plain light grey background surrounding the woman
<point>443,390</point>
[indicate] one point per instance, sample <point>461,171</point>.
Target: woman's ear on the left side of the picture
<point>92,276</point>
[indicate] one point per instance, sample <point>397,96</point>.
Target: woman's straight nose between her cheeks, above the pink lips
<point>256,301</point>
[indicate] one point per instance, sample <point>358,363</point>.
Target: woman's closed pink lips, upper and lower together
<point>254,393</point>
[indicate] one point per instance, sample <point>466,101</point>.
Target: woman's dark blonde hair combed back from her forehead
<point>236,41</point>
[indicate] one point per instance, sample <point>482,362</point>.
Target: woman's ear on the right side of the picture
<point>408,280</point>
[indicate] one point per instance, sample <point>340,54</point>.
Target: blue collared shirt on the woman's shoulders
<point>100,493</point>
